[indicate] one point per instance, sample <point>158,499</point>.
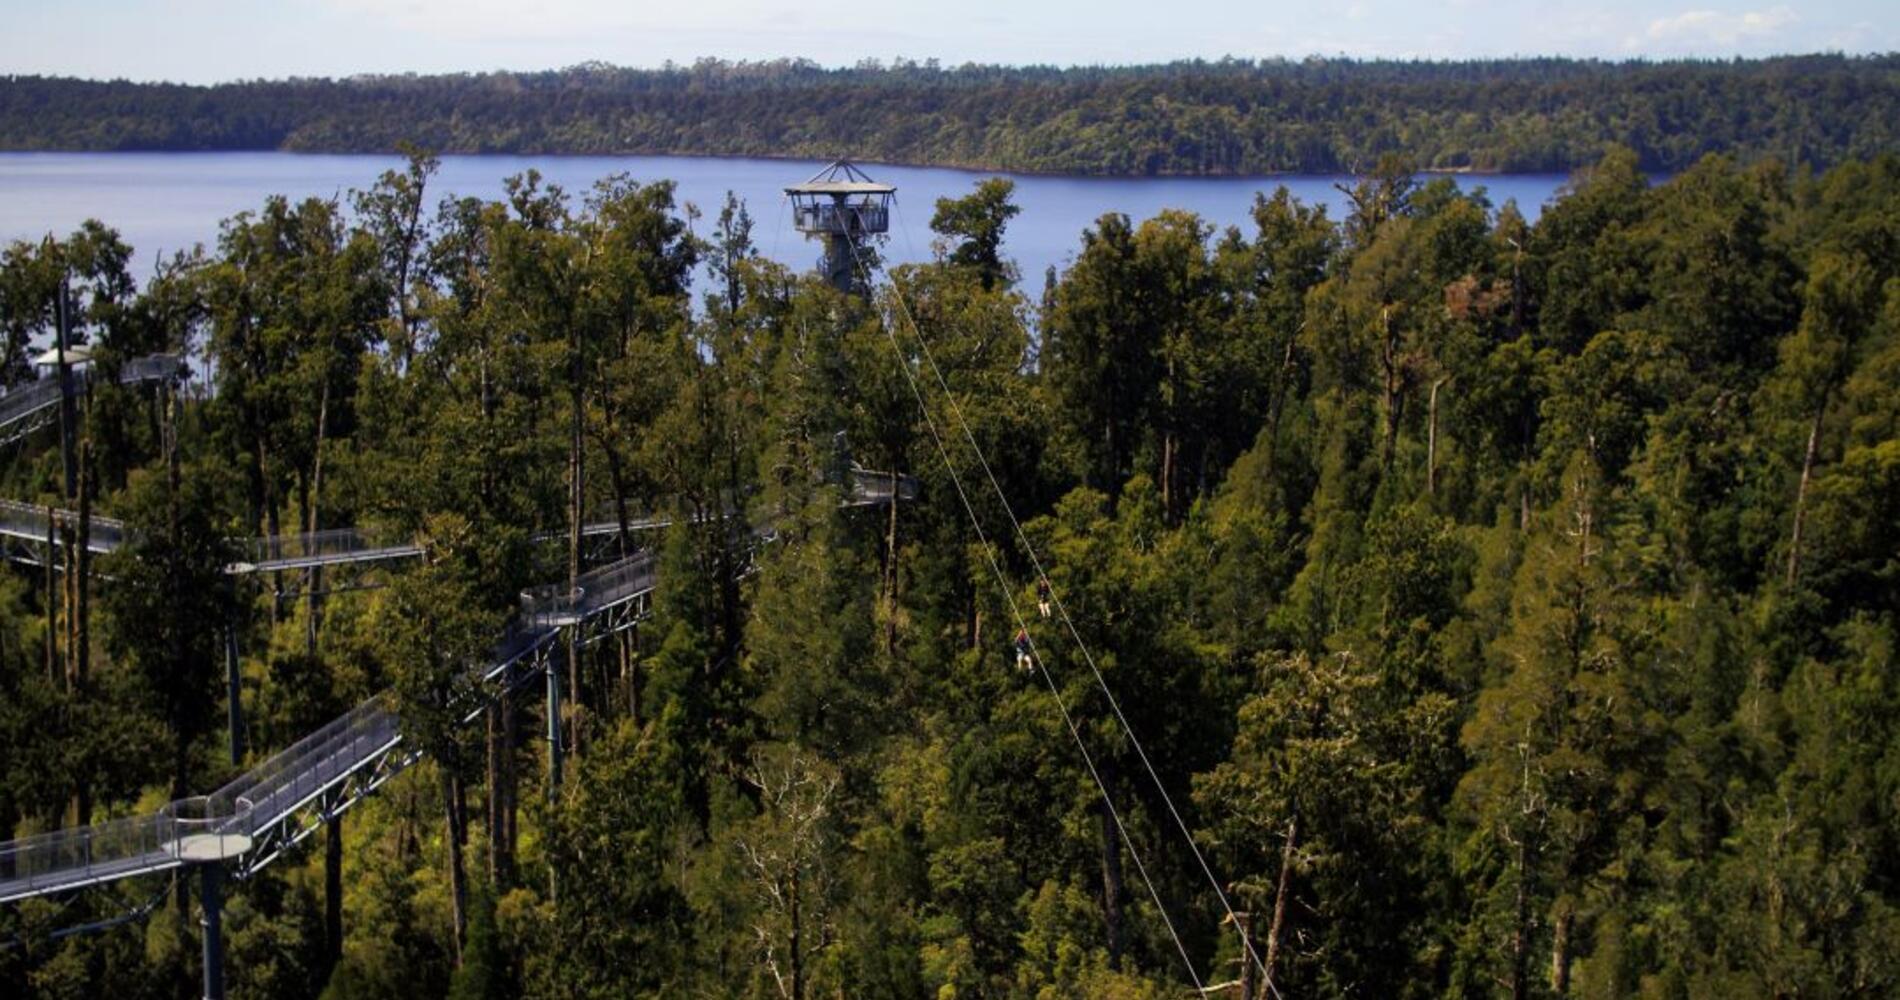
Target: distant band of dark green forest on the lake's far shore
<point>1181,119</point>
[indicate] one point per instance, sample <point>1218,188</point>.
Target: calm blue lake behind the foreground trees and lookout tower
<point>170,201</point>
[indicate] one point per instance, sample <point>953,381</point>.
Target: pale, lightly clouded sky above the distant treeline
<point>216,41</point>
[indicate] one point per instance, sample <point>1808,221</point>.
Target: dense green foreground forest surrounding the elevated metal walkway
<point>1506,609</point>
